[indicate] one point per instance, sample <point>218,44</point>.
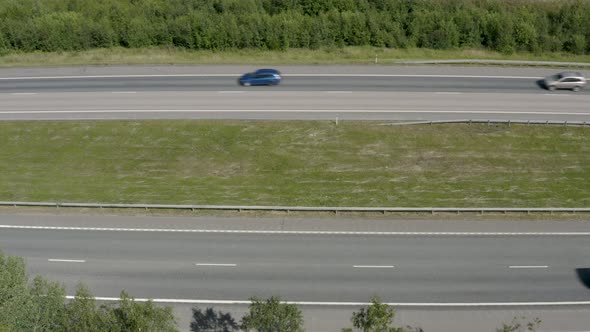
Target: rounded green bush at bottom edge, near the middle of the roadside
<point>272,316</point>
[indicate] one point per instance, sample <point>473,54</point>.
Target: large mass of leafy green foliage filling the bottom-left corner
<point>41,306</point>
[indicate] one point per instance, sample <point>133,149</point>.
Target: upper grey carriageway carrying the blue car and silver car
<point>346,93</point>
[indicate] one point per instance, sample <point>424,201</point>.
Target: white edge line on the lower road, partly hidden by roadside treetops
<point>399,304</point>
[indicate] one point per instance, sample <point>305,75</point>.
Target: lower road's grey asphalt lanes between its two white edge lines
<point>310,267</point>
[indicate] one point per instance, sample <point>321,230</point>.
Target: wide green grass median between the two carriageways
<point>295,163</point>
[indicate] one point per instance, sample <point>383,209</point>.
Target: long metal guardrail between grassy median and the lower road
<point>293,208</point>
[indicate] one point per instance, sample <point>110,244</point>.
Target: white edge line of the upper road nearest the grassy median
<point>293,111</point>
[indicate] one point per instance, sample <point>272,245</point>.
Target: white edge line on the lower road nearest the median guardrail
<point>175,230</point>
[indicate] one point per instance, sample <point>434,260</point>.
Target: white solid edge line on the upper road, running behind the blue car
<point>285,75</point>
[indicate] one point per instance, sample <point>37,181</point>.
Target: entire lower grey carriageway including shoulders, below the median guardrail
<point>472,277</point>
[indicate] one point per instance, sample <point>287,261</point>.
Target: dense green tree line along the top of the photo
<point>500,25</point>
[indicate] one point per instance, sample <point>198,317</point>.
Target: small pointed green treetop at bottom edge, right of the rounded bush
<point>378,317</point>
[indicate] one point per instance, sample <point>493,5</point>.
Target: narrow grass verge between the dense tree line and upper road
<point>347,55</point>
